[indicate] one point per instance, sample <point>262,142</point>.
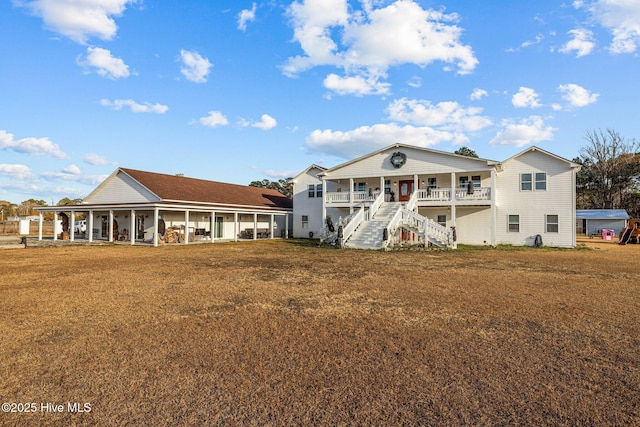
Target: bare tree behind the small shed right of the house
<point>610,173</point>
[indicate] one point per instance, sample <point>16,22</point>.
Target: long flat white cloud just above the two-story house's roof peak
<point>364,139</point>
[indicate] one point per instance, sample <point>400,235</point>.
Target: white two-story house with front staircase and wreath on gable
<point>404,194</point>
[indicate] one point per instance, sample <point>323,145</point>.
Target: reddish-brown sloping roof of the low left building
<point>182,189</point>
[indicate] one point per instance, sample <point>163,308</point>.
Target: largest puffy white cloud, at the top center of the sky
<point>365,43</point>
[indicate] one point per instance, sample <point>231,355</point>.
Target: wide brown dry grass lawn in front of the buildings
<point>286,333</point>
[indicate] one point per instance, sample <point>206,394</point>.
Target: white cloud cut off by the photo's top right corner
<point>622,18</point>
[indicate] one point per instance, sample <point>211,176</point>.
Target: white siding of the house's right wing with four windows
<point>533,206</point>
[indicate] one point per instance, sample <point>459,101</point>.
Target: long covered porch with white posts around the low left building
<point>159,224</point>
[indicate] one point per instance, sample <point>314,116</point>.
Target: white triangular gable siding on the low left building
<point>120,189</point>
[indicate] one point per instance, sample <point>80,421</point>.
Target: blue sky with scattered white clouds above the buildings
<point>238,91</point>
